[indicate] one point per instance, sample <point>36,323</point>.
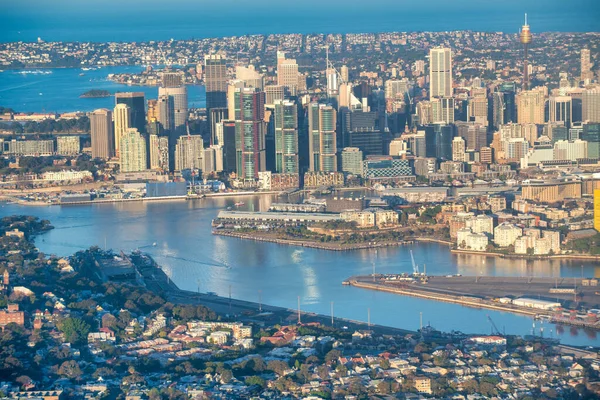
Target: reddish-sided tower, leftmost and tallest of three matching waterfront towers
<point>250,132</point>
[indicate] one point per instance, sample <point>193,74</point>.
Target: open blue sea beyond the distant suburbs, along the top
<point>143,20</point>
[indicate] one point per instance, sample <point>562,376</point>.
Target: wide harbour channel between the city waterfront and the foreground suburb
<point>197,260</point>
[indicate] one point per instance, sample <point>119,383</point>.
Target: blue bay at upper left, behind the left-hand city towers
<point>58,90</point>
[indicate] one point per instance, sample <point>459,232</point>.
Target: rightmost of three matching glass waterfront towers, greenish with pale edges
<point>322,137</point>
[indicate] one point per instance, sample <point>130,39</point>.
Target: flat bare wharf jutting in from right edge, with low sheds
<point>496,293</point>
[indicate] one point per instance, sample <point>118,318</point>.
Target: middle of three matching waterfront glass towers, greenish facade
<point>286,137</point>
